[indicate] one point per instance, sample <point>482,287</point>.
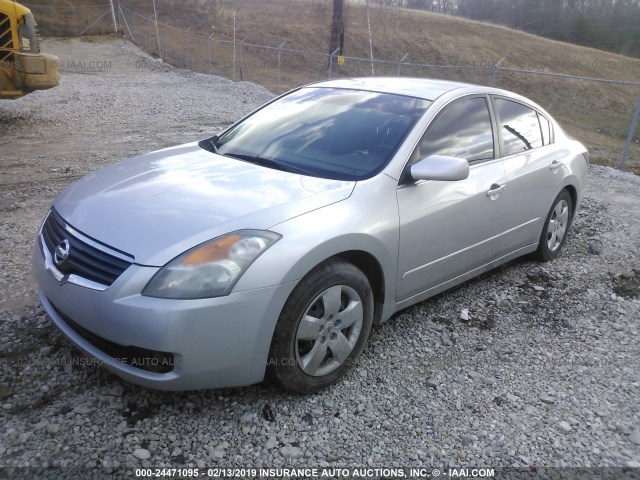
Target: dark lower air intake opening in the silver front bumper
<point>149,360</point>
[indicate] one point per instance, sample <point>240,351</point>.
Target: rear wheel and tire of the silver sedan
<point>556,227</point>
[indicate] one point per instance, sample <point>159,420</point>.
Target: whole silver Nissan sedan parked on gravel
<point>273,247</point>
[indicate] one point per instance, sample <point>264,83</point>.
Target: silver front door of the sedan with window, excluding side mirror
<point>450,228</point>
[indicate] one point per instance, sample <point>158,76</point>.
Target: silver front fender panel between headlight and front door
<point>367,221</point>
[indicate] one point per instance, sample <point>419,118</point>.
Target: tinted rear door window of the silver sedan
<point>520,127</point>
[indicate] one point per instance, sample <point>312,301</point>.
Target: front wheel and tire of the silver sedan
<point>322,329</point>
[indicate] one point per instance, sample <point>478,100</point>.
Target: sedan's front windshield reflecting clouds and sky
<point>324,132</point>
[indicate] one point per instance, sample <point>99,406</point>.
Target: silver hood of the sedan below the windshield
<point>156,206</point>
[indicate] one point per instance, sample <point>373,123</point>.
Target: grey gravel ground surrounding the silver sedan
<point>545,371</point>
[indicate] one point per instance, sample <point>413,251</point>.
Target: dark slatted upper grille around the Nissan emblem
<point>85,260</point>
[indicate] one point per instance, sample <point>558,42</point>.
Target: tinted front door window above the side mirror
<point>462,129</point>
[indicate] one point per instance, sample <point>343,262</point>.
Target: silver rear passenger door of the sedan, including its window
<point>533,167</point>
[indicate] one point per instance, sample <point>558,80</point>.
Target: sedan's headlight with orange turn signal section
<point>212,268</point>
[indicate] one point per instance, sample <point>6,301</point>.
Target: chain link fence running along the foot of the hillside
<point>602,112</point>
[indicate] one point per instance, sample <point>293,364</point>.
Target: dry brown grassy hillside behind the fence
<point>599,114</point>
